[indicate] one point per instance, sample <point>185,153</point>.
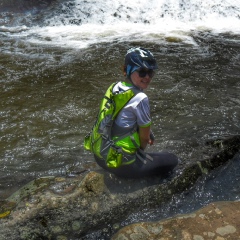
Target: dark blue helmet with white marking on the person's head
<point>138,57</point>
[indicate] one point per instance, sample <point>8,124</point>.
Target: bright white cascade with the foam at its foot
<point>147,20</point>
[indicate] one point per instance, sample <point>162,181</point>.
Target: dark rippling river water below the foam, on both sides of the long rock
<point>49,96</point>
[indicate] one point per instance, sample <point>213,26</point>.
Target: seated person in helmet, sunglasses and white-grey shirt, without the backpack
<point>131,127</point>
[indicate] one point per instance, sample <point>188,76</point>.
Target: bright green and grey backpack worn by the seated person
<point>115,151</point>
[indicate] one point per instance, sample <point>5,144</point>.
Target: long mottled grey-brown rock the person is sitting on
<point>69,208</point>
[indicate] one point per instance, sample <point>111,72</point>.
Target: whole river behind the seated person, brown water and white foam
<point>57,58</point>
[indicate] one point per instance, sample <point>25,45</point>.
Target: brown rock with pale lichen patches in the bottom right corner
<point>220,220</point>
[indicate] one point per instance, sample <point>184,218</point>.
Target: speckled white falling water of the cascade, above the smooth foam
<point>159,13</point>
